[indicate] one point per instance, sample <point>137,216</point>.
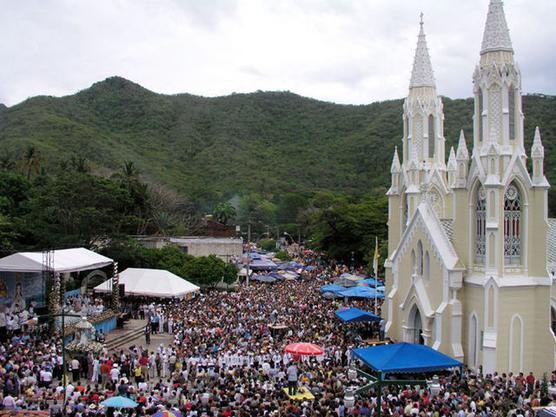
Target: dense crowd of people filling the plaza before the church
<point>225,360</point>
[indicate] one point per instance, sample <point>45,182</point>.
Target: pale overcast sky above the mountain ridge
<point>343,51</point>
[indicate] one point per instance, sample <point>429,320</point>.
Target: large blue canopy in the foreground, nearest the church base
<point>405,358</point>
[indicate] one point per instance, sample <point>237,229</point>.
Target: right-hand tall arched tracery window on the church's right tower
<point>512,226</point>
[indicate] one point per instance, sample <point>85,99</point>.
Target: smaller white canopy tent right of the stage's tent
<point>151,283</point>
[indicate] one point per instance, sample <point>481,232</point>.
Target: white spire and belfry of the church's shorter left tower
<point>423,117</point>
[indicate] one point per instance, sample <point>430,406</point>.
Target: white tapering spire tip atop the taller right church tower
<point>496,36</point>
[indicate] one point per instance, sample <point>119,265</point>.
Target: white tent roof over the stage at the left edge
<point>63,260</point>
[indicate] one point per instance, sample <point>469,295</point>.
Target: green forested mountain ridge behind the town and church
<point>213,148</point>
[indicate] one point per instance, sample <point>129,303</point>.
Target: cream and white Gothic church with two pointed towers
<point>467,237</point>
